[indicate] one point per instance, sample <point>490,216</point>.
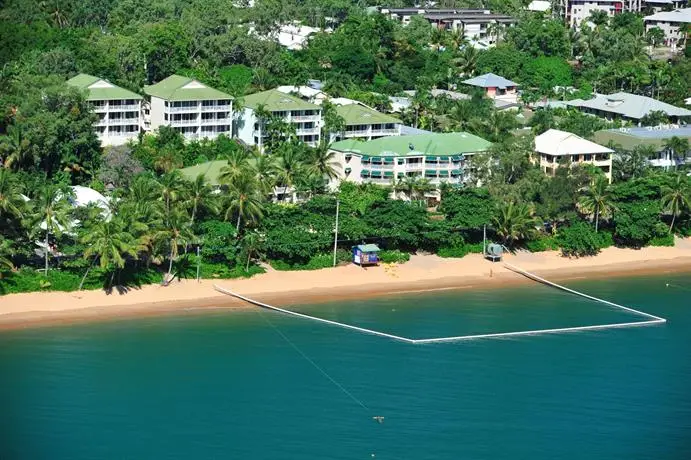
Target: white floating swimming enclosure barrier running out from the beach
<point>652,319</point>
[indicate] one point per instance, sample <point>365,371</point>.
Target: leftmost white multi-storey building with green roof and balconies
<point>119,110</point>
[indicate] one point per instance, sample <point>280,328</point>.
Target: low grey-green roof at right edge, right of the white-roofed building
<point>650,136</point>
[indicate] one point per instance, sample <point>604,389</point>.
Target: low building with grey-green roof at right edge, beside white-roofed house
<point>655,137</point>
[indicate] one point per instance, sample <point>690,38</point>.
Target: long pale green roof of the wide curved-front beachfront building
<point>434,144</point>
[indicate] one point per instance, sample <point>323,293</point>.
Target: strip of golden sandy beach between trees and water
<point>421,273</point>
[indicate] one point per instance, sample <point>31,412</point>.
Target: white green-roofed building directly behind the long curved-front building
<point>364,122</point>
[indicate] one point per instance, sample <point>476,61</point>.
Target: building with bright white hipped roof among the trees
<point>554,147</point>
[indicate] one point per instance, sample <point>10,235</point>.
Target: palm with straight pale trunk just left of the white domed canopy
<point>50,212</point>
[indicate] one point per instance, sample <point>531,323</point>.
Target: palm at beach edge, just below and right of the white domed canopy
<point>109,242</point>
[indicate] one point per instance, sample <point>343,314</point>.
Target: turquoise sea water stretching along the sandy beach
<point>227,385</point>
